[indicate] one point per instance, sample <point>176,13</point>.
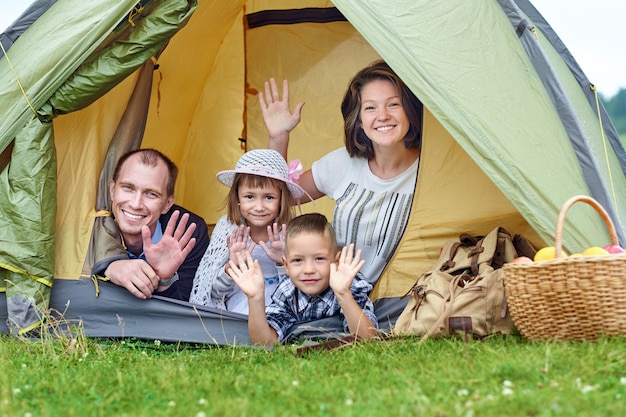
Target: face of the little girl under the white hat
<point>259,205</point>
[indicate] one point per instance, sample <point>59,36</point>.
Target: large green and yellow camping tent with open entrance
<point>512,129</point>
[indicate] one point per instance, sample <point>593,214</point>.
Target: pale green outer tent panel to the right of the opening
<point>466,63</point>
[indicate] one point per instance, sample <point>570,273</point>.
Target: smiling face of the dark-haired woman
<point>383,118</point>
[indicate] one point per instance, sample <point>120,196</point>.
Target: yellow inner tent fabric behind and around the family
<point>198,118</point>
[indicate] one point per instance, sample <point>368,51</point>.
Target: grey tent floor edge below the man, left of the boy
<point>116,313</point>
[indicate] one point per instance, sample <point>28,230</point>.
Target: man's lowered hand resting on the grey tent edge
<point>135,275</point>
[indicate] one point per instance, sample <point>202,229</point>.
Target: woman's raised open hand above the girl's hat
<point>276,112</point>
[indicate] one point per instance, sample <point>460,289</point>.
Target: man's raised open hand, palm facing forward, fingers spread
<point>166,256</point>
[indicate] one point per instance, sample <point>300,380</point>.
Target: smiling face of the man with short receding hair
<point>138,198</point>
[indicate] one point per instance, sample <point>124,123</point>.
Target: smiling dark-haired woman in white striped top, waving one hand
<point>372,179</point>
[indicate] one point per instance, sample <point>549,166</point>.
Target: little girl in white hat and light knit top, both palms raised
<point>259,205</point>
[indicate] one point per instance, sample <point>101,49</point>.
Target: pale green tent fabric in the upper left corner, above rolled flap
<point>58,53</point>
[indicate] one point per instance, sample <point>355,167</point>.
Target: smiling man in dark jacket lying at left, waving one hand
<point>163,253</point>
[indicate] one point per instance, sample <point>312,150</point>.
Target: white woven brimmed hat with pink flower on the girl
<point>265,163</point>
